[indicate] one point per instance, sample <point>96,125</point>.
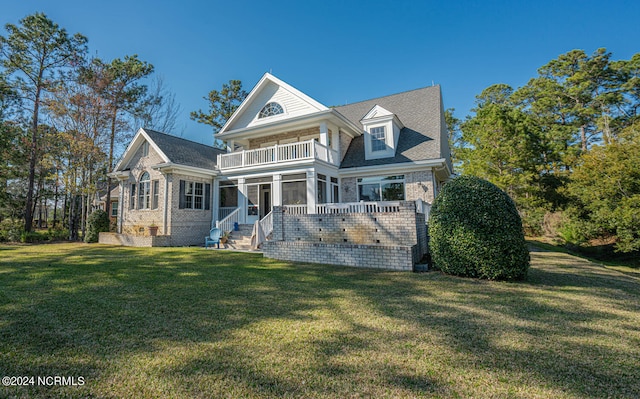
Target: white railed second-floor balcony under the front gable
<point>284,153</point>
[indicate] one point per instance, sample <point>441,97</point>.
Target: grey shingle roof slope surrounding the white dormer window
<point>421,113</point>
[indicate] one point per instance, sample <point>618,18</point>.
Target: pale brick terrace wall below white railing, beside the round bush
<point>386,240</point>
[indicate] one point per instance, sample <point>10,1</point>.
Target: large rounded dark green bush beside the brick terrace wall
<point>476,231</point>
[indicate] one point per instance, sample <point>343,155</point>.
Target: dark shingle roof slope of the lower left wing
<point>185,152</point>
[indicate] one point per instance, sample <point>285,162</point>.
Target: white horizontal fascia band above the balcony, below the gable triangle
<point>284,125</point>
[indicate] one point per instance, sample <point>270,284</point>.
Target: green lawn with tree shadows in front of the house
<point>192,323</point>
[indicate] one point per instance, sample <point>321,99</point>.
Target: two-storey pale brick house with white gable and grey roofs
<point>286,150</point>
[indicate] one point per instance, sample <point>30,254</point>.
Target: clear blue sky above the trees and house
<point>341,51</point>
